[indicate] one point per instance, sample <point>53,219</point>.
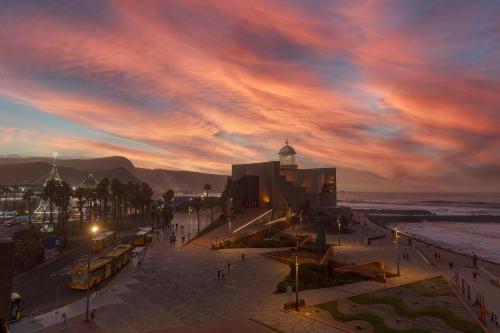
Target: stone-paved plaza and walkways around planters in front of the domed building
<point>176,289</point>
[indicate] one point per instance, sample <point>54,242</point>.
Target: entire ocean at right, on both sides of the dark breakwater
<point>482,239</point>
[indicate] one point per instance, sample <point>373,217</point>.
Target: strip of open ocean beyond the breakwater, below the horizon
<point>437,203</point>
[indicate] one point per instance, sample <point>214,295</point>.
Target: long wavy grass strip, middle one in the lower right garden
<point>404,310</point>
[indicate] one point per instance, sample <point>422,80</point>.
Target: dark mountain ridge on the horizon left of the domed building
<point>25,171</point>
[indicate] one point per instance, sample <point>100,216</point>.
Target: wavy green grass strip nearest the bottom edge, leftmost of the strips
<point>376,321</point>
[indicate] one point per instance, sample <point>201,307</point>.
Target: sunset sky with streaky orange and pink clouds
<point>398,95</point>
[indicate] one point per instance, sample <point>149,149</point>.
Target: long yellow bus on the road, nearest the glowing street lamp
<point>101,269</point>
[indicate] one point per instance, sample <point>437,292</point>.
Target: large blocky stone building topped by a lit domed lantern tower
<point>280,185</point>
